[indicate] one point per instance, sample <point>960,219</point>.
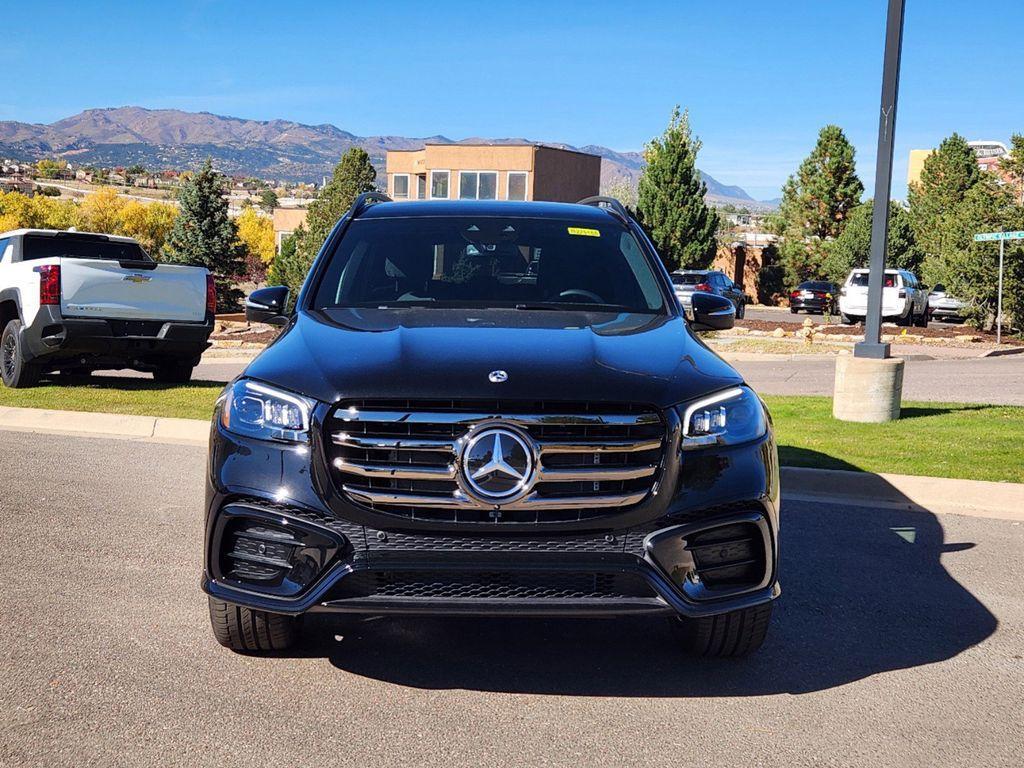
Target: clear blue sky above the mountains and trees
<point>759,78</point>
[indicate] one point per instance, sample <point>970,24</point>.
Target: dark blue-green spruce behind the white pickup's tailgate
<point>204,236</point>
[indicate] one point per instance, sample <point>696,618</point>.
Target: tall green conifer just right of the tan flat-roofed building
<point>671,198</point>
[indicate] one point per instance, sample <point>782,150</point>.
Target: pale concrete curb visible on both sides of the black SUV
<point>974,498</point>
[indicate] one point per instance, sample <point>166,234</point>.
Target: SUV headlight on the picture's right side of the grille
<point>723,419</point>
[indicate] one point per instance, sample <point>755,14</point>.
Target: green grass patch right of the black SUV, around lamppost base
<point>941,440</point>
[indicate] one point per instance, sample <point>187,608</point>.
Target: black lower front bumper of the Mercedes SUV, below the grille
<point>649,573</point>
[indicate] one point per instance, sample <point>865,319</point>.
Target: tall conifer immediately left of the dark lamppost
<point>818,202</point>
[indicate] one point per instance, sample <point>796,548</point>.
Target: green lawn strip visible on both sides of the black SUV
<point>980,443</point>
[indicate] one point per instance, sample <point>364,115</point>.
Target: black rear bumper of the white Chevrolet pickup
<point>53,338</point>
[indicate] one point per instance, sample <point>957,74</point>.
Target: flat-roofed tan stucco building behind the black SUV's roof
<point>493,173</point>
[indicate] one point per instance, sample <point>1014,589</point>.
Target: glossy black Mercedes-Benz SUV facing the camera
<point>491,408</point>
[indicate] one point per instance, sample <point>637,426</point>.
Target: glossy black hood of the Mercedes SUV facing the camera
<point>425,354</point>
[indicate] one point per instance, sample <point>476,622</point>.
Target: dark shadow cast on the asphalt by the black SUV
<point>864,593</point>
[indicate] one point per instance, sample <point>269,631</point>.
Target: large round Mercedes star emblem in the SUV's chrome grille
<point>498,464</point>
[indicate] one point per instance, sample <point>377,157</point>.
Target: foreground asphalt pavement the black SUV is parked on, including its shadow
<point>899,642</point>
